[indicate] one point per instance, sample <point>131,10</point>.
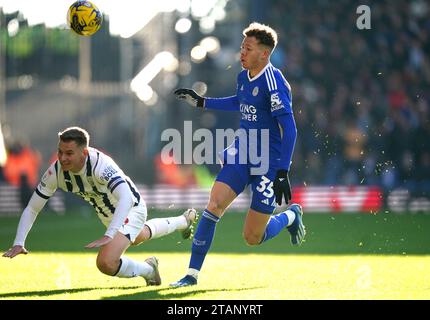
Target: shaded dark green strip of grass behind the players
<point>326,234</point>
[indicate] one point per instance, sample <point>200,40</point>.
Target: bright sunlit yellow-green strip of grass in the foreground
<point>232,276</point>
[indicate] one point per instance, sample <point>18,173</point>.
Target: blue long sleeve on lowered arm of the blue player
<point>289,134</point>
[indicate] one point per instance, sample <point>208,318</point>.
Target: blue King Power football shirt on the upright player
<point>261,100</point>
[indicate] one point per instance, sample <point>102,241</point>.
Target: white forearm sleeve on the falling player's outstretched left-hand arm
<point>28,217</point>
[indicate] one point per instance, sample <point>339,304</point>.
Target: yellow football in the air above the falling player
<point>84,18</point>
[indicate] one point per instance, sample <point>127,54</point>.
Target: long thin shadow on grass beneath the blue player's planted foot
<point>173,293</point>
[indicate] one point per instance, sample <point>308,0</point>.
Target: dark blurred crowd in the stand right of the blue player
<point>361,97</point>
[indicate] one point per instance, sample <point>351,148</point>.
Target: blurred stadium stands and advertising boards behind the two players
<point>360,97</point>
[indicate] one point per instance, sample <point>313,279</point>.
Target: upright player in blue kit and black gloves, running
<point>263,96</point>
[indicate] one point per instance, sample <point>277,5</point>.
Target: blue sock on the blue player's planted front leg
<point>203,239</point>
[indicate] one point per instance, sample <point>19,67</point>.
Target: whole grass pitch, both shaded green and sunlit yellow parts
<point>381,256</point>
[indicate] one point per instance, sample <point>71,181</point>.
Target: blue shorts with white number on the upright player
<point>238,176</point>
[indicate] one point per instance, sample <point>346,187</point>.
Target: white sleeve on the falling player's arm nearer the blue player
<point>125,203</point>
